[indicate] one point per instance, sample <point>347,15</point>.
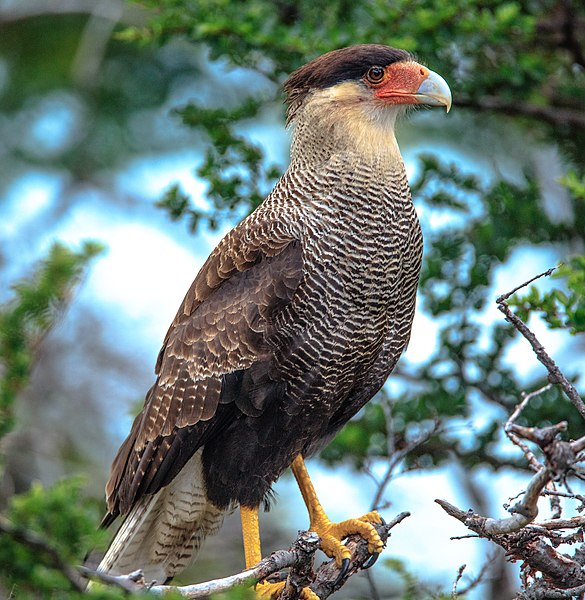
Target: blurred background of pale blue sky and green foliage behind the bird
<point>134,135</point>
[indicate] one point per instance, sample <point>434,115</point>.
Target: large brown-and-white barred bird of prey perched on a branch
<point>293,323</point>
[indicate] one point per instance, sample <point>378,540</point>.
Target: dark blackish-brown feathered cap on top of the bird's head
<point>337,66</point>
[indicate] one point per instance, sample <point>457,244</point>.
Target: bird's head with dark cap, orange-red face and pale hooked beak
<point>362,89</point>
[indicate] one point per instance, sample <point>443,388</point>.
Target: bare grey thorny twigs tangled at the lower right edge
<point>546,572</point>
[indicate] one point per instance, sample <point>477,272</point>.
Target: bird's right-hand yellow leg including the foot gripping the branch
<point>331,533</point>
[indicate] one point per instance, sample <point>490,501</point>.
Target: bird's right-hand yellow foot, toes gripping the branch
<point>332,534</point>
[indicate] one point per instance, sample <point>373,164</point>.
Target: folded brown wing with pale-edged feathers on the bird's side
<point>219,333</point>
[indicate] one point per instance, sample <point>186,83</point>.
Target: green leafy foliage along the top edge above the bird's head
<point>495,41</point>
